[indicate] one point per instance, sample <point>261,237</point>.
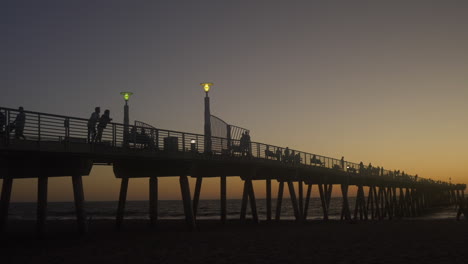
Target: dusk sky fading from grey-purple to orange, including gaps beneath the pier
<point>373,81</point>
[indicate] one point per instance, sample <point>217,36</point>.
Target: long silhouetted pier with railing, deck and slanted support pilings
<point>57,146</point>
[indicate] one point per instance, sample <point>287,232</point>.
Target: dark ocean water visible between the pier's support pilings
<point>171,209</point>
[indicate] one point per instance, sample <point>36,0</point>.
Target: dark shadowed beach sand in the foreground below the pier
<point>396,241</point>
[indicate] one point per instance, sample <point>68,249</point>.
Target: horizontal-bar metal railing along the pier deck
<point>41,127</point>
